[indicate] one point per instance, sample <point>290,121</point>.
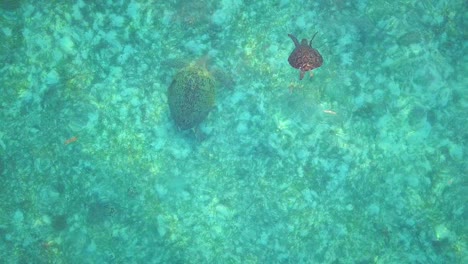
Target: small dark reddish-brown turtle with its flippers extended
<point>304,57</point>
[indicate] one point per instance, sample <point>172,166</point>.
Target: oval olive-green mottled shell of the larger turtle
<point>191,96</point>
